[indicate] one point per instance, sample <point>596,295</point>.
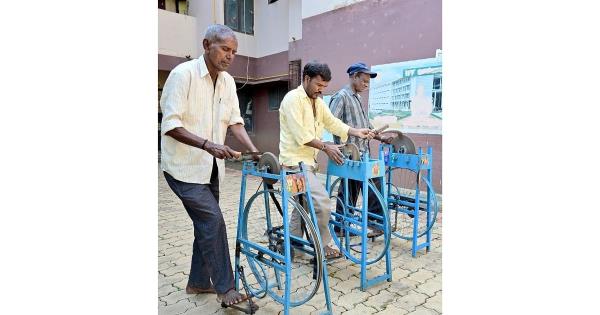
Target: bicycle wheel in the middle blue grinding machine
<point>351,245</point>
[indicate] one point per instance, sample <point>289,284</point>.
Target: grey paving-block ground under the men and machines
<point>416,287</point>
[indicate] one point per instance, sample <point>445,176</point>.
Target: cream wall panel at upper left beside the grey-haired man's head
<point>176,34</point>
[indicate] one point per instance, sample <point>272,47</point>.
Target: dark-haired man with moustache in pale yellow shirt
<point>302,118</point>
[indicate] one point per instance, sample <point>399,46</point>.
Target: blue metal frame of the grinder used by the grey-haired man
<point>248,248</point>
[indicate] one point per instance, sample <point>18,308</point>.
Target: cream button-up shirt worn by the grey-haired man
<point>190,100</point>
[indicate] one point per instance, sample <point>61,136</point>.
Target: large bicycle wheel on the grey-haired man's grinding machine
<point>262,225</point>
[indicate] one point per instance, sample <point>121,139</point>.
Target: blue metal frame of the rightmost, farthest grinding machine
<point>420,162</point>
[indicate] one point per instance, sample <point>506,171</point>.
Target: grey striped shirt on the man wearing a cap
<point>346,105</point>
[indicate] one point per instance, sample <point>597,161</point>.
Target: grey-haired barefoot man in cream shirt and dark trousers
<point>199,103</point>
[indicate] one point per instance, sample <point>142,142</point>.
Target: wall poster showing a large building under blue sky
<point>408,96</point>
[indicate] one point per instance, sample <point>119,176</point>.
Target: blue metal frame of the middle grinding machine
<point>362,171</point>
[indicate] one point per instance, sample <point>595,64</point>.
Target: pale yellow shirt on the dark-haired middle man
<point>297,126</point>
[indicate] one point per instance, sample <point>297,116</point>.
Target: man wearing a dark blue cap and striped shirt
<point>347,106</point>
